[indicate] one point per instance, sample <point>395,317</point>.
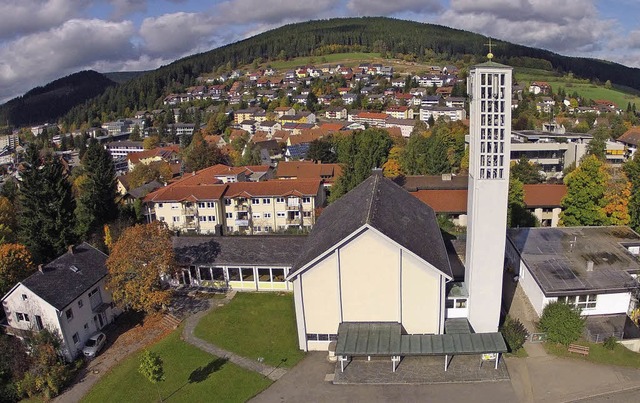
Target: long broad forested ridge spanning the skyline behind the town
<point>379,34</point>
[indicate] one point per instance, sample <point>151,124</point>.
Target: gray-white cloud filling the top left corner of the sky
<point>19,17</point>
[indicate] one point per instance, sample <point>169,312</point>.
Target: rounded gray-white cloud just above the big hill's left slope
<point>176,34</point>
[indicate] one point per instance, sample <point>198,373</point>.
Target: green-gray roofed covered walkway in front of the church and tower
<point>385,339</point>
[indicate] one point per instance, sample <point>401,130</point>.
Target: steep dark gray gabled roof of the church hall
<point>386,207</point>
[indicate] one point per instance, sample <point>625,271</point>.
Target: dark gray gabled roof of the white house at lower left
<point>69,276</point>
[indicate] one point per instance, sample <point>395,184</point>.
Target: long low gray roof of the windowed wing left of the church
<point>280,250</point>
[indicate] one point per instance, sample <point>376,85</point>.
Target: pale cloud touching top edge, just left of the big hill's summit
<point>271,11</point>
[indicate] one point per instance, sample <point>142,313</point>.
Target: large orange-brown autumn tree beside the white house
<point>138,260</point>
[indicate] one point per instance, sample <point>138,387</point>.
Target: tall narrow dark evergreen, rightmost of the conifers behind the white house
<point>97,194</point>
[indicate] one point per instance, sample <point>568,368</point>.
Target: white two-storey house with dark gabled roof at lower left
<point>67,297</point>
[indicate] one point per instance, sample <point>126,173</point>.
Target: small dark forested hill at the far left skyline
<point>49,103</point>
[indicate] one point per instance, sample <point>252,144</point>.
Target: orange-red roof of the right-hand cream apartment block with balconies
<point>273,188</point>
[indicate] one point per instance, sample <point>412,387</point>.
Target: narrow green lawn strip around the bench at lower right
<point>598,354</point>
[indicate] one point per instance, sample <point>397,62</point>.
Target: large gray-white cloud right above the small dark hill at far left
<point>77,44</point>
